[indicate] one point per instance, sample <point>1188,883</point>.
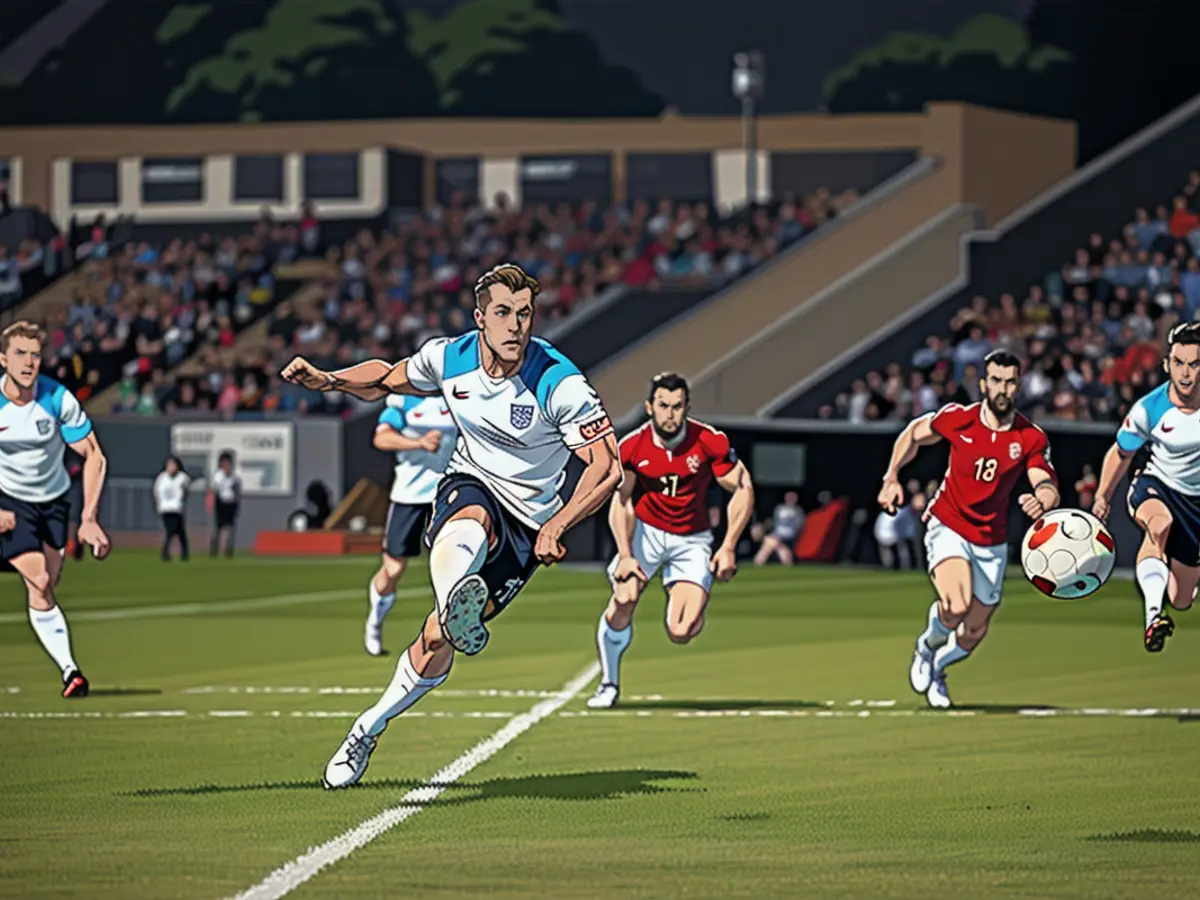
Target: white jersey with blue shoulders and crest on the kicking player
<point>517,435</point>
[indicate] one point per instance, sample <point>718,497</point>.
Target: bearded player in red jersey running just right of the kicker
<point>659,520</point>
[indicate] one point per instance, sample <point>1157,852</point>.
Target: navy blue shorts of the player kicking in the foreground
<point>512,562</point>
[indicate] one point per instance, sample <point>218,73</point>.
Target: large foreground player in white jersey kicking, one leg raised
<point>523,410</point>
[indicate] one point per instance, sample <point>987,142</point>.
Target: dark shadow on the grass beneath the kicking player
<point>605,785</point>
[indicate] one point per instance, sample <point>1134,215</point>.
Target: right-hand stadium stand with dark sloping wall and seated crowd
<point>1070,279</point>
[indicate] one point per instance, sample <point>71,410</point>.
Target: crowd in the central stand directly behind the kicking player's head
<point>389,292</point>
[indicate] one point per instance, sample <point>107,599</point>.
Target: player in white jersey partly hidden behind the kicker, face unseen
<point>422,434</point>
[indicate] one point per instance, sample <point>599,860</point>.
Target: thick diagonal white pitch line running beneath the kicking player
<point>292,875</point>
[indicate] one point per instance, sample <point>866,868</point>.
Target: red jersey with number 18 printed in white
<point>985,469</point>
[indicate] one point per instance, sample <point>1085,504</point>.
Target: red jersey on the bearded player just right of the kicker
<point>673,484</point>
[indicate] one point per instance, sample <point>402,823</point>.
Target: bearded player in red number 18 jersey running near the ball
<point>967,532</point>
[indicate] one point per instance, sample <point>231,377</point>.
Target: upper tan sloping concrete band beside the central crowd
<point>735,317</point>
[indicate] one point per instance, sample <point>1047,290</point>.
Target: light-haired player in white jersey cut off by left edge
<point>39,421</point>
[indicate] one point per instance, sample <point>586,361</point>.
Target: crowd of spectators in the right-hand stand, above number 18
<point>1091,334</point>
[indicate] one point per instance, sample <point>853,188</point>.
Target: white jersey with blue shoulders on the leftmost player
<point>33,442</point>
